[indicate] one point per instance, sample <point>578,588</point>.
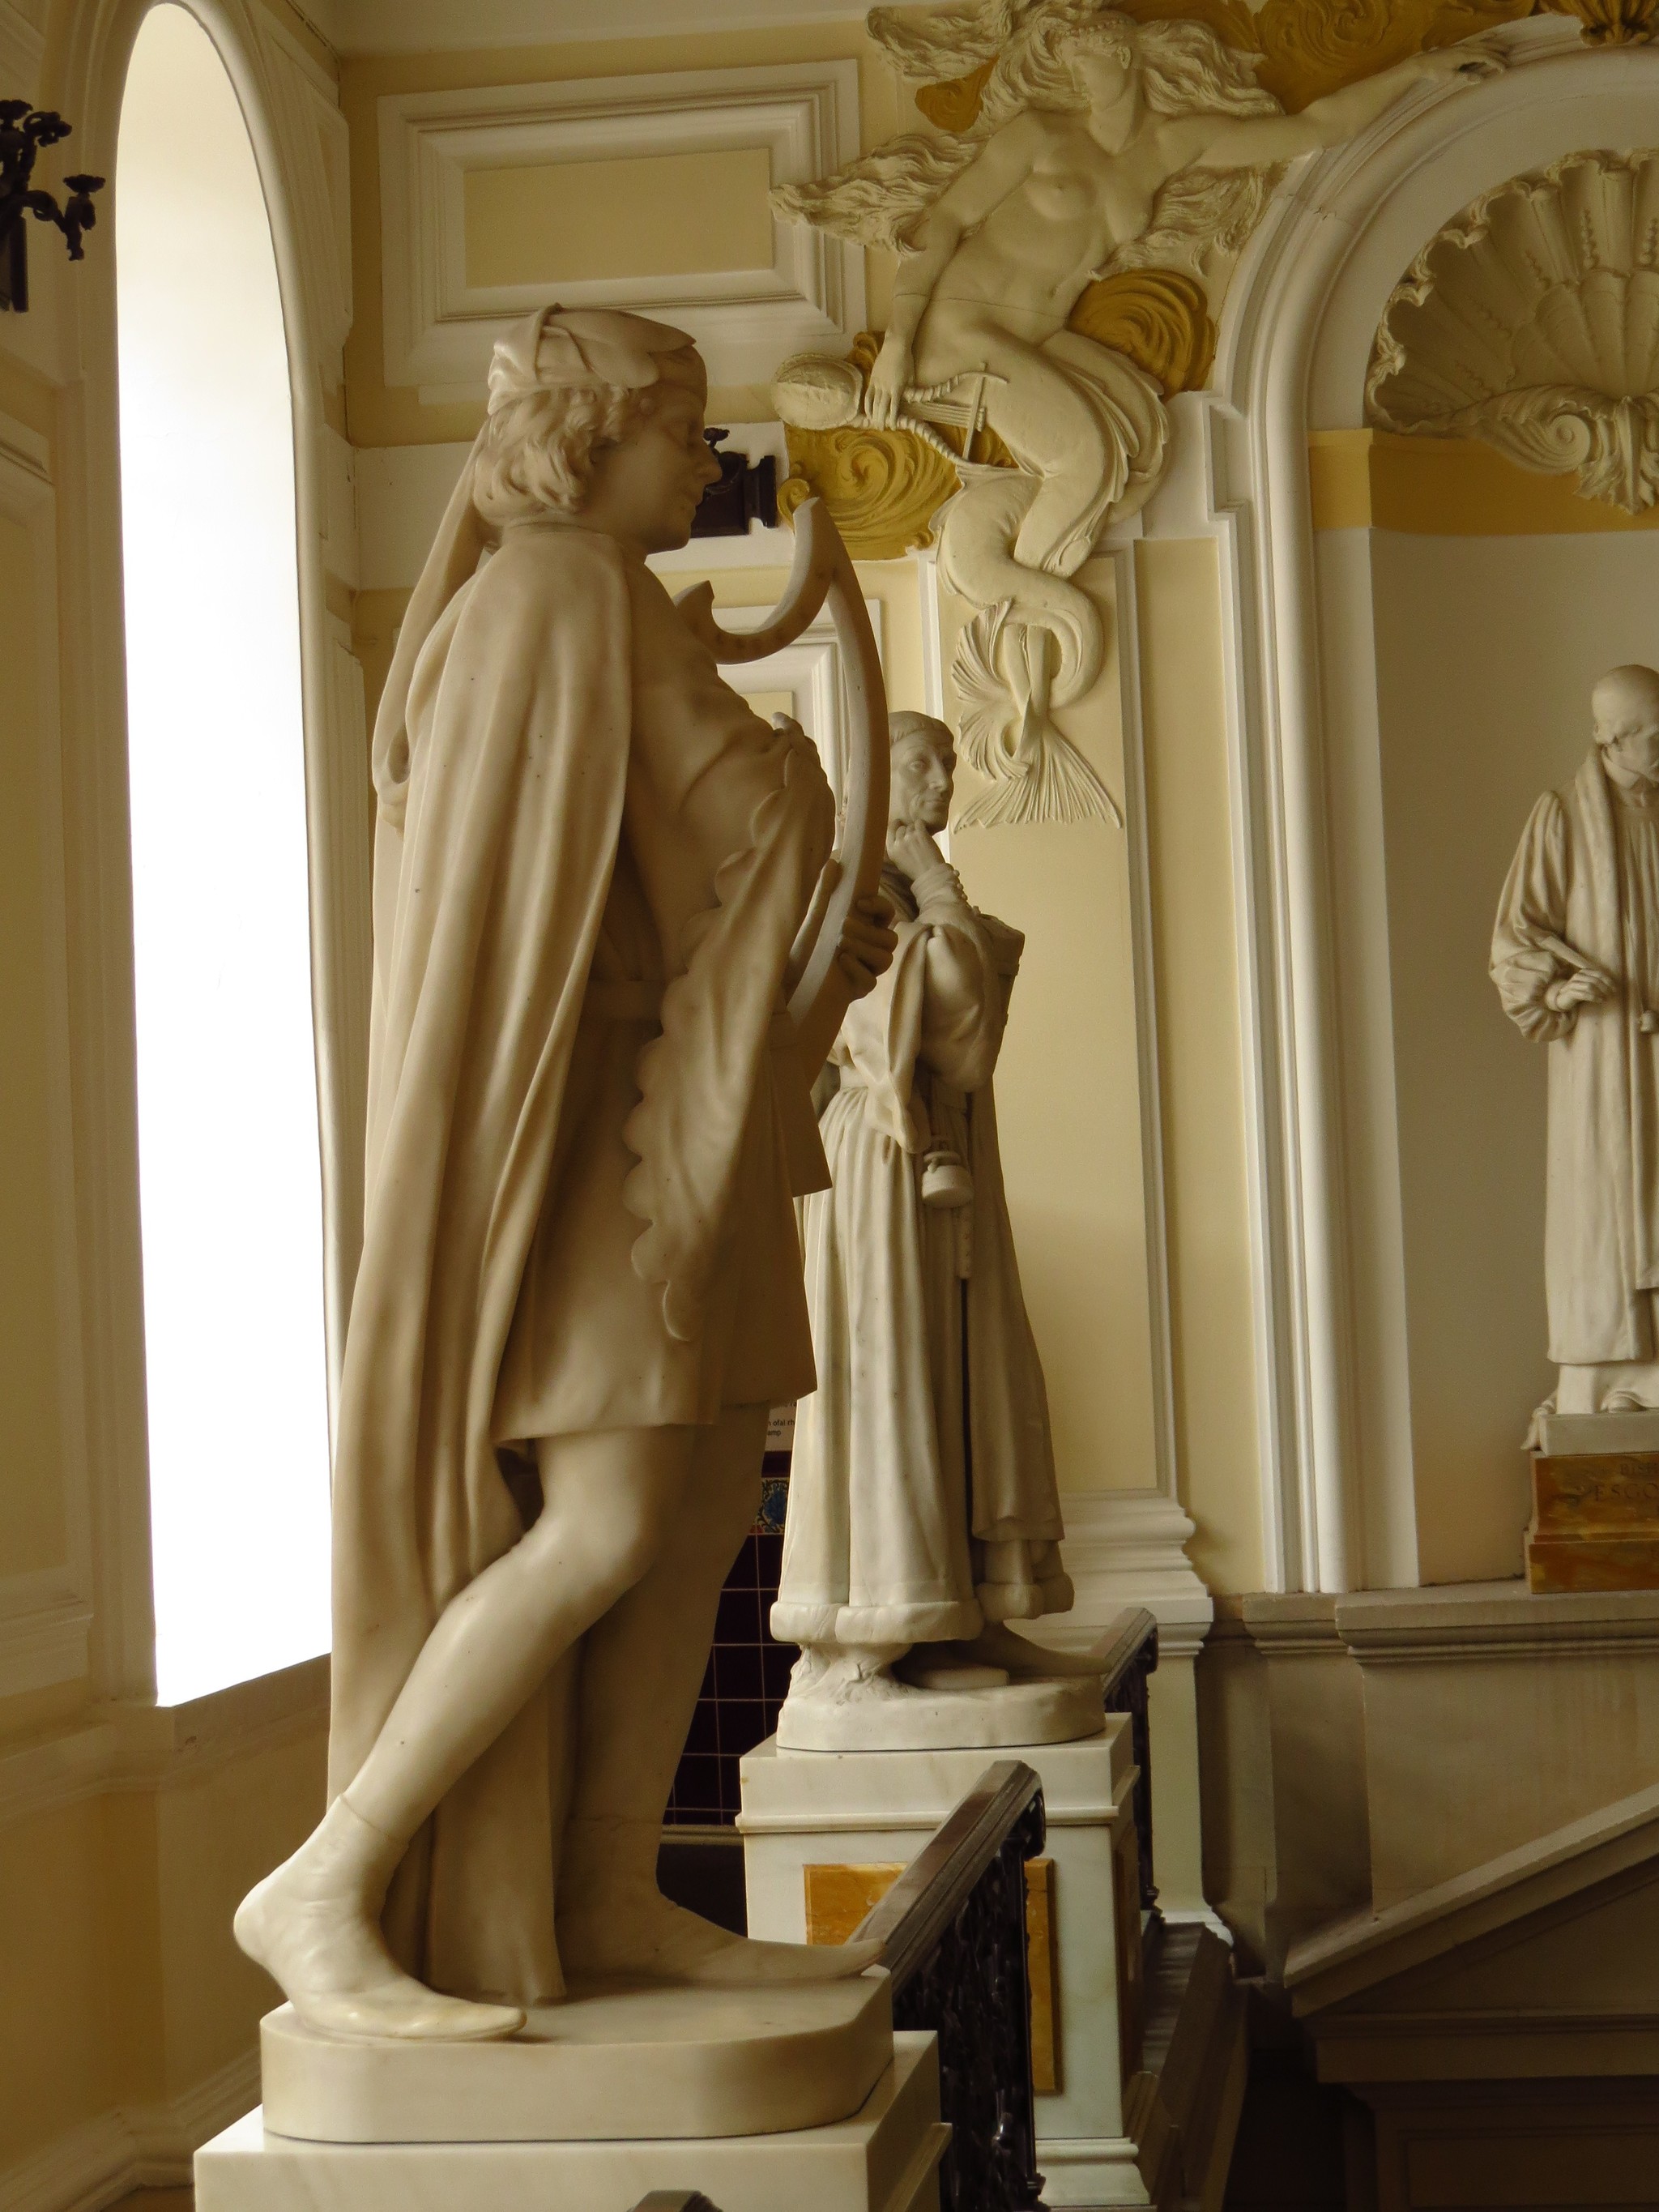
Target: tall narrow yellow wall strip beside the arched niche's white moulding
<point>1200,1056</point>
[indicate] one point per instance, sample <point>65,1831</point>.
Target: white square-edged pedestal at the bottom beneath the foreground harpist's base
<point>881,2160</point>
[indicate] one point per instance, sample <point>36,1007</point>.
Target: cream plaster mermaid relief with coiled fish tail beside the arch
<point>1098,145</point>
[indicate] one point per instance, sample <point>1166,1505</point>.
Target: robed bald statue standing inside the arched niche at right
<point>1576,961</point>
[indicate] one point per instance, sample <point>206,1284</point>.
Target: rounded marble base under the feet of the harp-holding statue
<point>614,2063</point>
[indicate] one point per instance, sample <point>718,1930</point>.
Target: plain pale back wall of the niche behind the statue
<point>1488,649</point>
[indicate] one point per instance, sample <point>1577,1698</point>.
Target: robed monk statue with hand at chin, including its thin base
<point>924,1512</point>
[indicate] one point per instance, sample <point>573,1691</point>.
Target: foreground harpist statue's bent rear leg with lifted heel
<point>315,1923</point>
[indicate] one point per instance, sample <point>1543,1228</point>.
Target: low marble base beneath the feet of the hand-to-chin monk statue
<point>901,1720</point>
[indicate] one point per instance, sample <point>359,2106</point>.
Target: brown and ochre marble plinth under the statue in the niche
<point>1596,1503</point>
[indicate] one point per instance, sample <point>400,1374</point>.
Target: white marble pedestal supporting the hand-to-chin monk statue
<point>879,1808</point>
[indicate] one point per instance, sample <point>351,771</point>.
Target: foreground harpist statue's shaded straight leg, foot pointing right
<point>640,1676</point>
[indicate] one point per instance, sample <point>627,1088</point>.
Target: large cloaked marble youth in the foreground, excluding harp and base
<point>581,1277</point>
